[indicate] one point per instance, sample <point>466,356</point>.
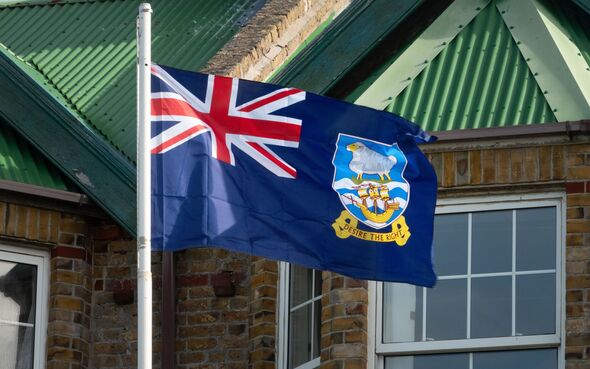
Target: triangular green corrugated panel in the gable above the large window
<point>480,80</point>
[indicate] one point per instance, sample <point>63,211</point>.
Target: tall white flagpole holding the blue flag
<point>144,273</point>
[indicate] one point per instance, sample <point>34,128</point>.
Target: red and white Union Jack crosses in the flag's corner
<point>250,126</point>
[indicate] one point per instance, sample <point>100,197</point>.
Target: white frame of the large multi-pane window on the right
<point>475,204</point>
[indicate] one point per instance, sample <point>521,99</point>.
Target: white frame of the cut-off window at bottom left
<point>39,258</point>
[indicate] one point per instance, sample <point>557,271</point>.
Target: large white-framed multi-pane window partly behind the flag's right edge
<point>497,302</point>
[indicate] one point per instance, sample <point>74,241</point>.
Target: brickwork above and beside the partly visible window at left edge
<point>66,237</point>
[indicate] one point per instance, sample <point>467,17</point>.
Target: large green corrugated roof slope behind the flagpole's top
<point>87,50</point>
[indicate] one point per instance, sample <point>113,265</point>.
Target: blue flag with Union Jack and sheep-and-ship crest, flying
<point>289,175</point>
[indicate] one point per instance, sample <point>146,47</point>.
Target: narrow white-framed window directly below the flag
<point>299,317</point>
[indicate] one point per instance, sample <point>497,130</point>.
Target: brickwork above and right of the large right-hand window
<point>536,169</point>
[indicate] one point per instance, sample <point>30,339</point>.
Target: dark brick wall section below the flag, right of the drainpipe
<point>212,331</point>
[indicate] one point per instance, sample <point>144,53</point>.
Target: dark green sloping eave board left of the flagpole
<point>101,172</point>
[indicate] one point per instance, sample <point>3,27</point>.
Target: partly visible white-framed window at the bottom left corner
<point>23,304</point>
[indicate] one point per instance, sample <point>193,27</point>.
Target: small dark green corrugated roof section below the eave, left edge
<point>19,162</point>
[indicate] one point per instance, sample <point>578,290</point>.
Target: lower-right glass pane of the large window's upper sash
<point>535,304</point>
